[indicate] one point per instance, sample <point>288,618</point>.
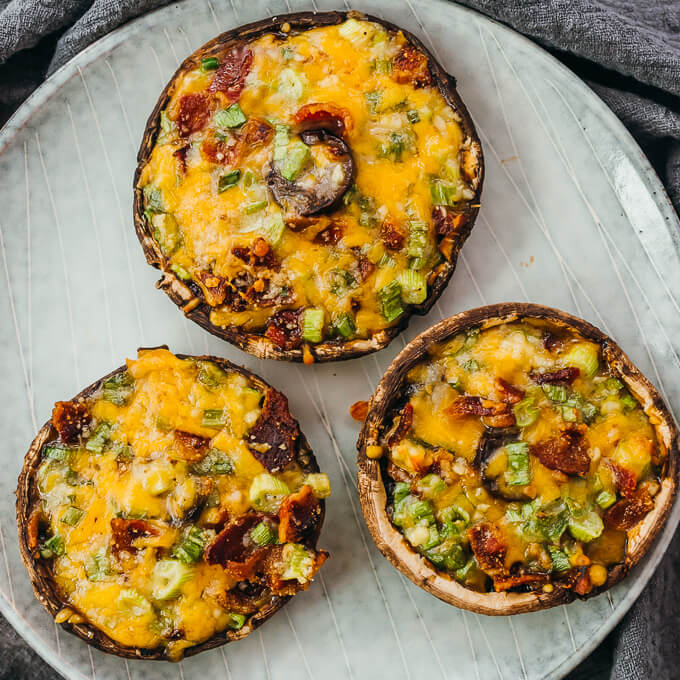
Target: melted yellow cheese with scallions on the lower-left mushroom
<point>160,591</point>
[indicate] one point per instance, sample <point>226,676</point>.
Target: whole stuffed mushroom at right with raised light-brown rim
<point>513,458</point>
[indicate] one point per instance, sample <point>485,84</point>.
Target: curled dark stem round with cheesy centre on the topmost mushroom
<point>313,175</point>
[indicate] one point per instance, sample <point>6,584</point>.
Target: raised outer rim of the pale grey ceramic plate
<point>671,222</point>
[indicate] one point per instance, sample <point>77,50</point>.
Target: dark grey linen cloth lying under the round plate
<point>629,53</point>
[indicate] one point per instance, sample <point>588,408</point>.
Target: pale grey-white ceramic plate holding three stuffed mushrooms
<point>572,217</point>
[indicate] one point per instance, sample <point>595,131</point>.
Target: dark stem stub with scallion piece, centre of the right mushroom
<point>503,463</point>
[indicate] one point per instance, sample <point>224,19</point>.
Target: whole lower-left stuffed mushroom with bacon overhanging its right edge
<point>171,507</point>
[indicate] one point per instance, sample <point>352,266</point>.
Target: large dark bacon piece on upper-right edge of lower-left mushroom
<point>272,438</point>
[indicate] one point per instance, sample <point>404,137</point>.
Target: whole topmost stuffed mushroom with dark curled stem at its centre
<point>305,184</point>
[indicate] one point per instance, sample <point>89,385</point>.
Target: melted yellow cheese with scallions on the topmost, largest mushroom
<point>407,145</point>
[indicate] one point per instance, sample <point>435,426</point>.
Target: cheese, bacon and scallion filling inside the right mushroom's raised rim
<point>486,498</point>
